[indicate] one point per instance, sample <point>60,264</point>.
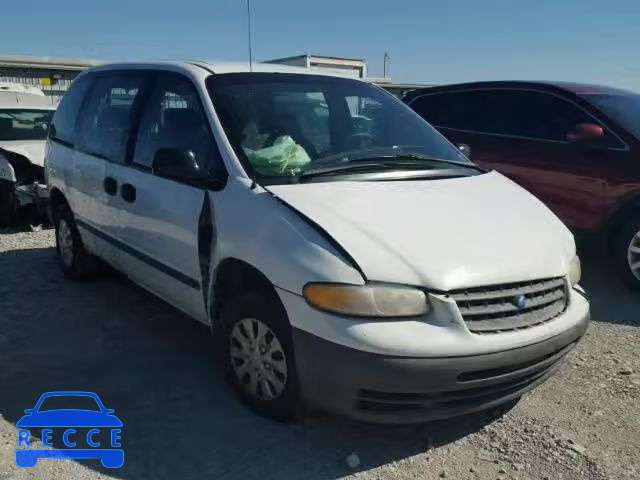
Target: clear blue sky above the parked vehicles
<point>429,41</point>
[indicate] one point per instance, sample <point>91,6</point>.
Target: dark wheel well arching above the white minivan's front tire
<point>235,276</point>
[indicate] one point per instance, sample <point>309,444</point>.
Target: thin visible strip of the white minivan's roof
<point>223,67</point>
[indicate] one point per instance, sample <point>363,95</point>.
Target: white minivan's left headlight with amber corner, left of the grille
<point>367,300</point>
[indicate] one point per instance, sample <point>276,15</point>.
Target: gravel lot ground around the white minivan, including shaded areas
<point>157,369</point>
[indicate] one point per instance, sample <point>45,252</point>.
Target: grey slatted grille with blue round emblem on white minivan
<point>496,309</point>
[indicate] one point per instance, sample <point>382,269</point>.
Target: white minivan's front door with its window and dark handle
<point>166,224</point>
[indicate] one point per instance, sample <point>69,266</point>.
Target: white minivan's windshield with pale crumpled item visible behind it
<point>281,125</point>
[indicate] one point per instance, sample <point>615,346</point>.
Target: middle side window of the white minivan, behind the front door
<point>106,116</point>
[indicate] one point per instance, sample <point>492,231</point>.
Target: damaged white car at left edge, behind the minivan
<point>25,114</point>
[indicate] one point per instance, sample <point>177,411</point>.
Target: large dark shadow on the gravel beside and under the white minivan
<point>158,370</point>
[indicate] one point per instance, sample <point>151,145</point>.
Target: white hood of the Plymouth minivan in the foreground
<point>440,234</point>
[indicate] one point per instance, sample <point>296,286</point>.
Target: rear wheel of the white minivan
<point>73,257</point>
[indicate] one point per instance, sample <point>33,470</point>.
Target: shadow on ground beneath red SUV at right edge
<point>611,300</point>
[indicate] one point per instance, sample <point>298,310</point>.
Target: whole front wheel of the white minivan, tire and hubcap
<point>266,380</point>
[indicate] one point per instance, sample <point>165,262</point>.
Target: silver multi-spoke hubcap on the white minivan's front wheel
<point>258,359</point>
